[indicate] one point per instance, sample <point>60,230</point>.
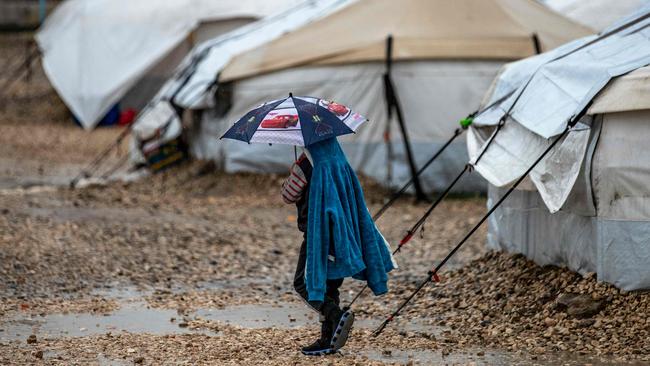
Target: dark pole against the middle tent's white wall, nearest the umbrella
<point>393,103</point>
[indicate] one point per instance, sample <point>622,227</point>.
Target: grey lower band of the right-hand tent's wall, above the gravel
<point>617,250</point>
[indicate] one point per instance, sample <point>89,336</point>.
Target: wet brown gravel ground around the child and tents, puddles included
<point>194,266</point>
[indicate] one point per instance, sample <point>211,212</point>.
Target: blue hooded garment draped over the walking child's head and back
<point>338,215</point>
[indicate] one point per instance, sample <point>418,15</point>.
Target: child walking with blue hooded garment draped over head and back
<point>340,239</point>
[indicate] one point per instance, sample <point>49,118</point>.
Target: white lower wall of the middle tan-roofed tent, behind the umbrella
<point>431,117</point>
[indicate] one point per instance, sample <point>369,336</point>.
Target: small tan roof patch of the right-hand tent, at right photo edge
<point>630,92</point>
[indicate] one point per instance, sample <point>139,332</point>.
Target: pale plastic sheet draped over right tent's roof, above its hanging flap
<point>554,87</point>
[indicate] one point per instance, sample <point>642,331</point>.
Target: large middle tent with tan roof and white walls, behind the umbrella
<point>446,54</point>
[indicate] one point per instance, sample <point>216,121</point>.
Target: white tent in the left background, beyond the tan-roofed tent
<point>97,52</point>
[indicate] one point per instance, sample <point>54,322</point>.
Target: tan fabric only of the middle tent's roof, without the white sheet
<point>422,29</point>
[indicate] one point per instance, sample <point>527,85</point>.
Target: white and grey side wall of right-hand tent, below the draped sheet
<point>604,226</point>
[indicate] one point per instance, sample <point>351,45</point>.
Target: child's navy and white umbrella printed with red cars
<point>300,121</point>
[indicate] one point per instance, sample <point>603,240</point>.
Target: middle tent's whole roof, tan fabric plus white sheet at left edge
<point>505,32</point>
